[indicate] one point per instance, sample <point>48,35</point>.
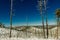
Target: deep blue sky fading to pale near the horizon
<point>23,8</point>
